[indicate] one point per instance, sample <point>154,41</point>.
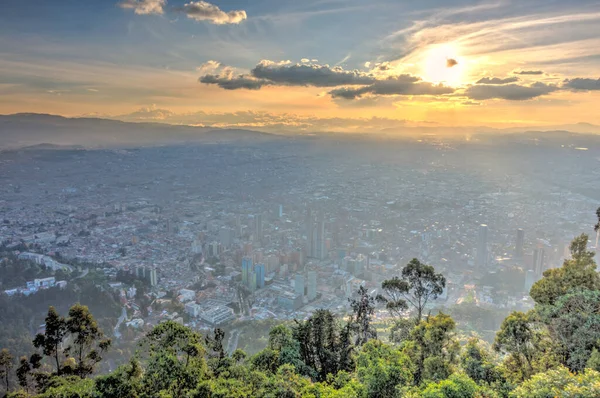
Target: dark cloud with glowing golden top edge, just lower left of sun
<point>398,85</point>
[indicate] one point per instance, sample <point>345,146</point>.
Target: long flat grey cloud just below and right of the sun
<point>512,92</point>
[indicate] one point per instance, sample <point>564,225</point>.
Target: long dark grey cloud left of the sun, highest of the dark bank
<point>309,75</point>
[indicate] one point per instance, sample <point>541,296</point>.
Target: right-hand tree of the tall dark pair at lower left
<point>88,342</point>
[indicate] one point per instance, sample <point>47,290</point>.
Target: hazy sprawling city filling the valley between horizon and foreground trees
<point>242,237</point>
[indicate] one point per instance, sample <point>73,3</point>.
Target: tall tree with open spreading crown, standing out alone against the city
<point>417,285</point>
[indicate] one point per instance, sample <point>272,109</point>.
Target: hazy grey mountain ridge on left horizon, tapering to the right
<point>48,131</point>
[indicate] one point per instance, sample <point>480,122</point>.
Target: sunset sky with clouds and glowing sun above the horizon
<point>311,65</point>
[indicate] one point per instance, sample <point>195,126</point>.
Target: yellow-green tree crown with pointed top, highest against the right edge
<point>577,273</point>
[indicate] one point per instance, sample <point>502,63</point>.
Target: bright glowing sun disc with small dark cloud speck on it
<point>443,64</point>
